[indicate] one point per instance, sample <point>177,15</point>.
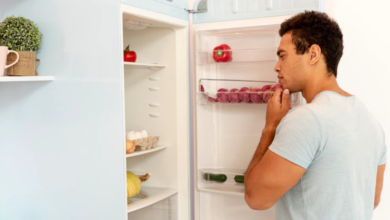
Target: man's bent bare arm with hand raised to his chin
<point>269,176</point>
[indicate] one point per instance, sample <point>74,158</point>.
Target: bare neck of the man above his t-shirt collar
<point>316,85</point>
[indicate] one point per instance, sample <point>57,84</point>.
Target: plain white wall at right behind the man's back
<point>364,68</point>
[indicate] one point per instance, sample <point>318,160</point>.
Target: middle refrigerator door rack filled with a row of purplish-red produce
<point>228,91</point>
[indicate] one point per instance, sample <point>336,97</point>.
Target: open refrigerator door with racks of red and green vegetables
<point>234,79</point>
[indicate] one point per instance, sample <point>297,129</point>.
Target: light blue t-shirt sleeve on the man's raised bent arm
<point>298,137</point>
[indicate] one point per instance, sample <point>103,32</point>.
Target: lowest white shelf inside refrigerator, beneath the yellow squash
<point>148,196</point>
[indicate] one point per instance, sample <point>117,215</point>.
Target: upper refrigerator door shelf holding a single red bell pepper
<point>240,56</point>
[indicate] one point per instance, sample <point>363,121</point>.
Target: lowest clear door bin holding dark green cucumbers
<point>226,181</point>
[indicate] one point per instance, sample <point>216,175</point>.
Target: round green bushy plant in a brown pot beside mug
<point>22,35</point>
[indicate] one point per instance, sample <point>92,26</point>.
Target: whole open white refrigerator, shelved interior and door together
<point>207,136</point>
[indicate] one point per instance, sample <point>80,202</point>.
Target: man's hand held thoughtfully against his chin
<point>278,107</point>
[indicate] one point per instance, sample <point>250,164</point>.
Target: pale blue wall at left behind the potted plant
<point>62,142</point>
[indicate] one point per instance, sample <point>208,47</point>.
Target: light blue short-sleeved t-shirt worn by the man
<point>340,144</point>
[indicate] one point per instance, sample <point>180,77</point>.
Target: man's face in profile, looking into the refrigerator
<point>290,67</point>
